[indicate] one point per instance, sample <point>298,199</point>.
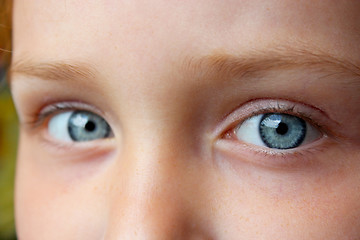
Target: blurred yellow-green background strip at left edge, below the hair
<point>8,141</point>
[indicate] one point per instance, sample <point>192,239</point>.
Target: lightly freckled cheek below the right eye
<point>268,205</point>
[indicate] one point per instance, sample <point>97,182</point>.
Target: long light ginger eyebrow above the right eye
<point>253,63</point>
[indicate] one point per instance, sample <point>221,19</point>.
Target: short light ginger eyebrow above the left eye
<point>54,70</point>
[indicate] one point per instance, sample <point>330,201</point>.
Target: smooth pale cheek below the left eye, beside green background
<point>47,208</point>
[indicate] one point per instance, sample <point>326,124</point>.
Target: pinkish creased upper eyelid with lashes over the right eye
<point>315,116</point>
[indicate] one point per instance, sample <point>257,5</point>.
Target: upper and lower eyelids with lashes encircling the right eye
<point>229,144</point>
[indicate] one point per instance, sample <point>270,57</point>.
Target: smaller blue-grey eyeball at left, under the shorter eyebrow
<point>78,126</point>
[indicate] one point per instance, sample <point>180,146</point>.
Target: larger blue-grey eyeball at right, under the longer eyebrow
<point>277,130</point>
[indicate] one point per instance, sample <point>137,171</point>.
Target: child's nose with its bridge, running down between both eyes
<point>155,173</point>
